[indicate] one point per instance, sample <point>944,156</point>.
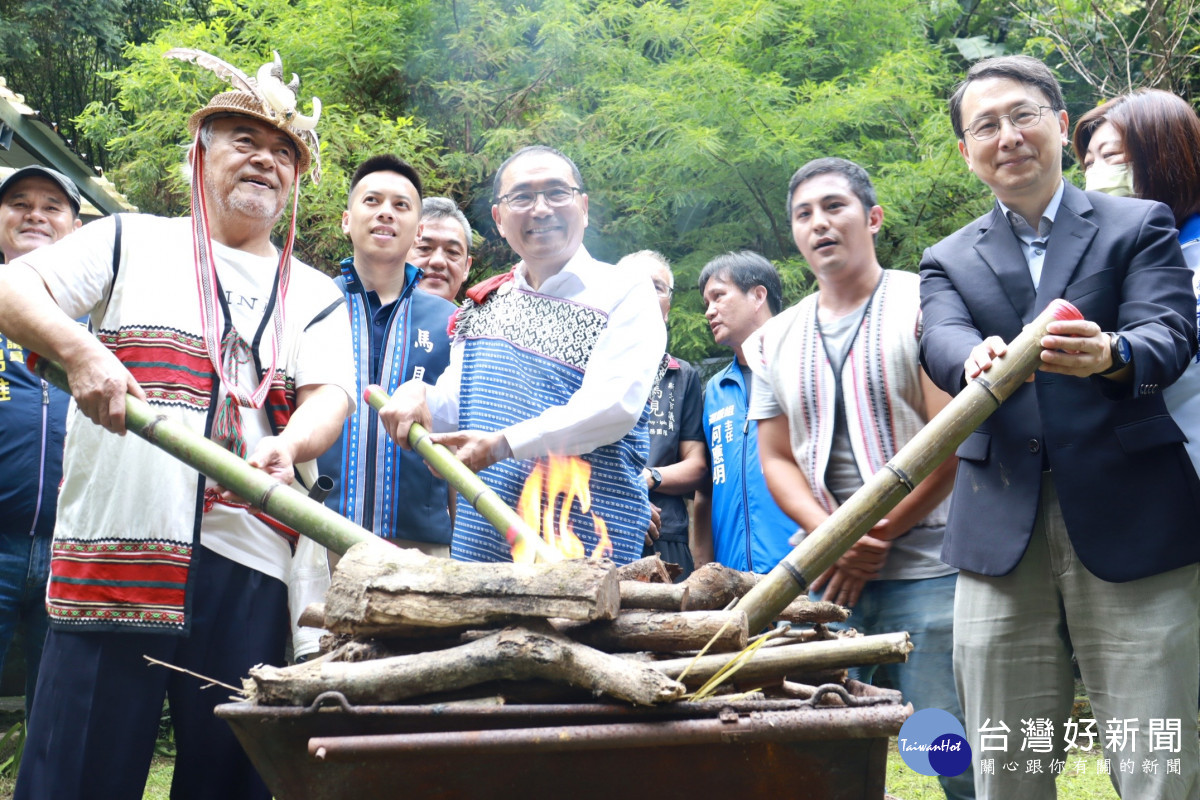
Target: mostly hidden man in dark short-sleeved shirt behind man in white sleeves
<point>679,462</point>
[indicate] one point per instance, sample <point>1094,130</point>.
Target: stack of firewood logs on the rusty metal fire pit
<point>406,627</point>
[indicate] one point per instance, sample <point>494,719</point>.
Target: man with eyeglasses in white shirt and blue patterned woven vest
<point>556,357</point>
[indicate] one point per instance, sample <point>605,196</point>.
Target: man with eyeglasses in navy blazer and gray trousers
<point>1075,510</point>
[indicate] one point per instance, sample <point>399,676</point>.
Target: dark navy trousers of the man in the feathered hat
<point>99,702</point>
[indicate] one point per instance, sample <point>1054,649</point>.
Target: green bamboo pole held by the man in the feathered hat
<point>275,498</point>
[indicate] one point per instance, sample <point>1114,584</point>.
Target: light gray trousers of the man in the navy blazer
<point>1138,647</point>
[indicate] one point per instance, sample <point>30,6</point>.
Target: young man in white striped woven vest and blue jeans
<point>838,392</point>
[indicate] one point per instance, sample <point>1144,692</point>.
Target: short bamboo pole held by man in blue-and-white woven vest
<point>487,502</point>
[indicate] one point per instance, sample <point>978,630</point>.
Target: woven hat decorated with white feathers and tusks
<point>265,98</point>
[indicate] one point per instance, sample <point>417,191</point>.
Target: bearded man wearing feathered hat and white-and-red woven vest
<point>220,330</point>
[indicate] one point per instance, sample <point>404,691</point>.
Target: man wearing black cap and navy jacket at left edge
<point>38,207</point>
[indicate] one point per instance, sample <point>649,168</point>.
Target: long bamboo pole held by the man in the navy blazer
<point>914,464</point>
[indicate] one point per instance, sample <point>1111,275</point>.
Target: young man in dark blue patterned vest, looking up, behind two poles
<point>400,334</point>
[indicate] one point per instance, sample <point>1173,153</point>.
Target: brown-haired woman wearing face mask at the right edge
<point>1148,145</point>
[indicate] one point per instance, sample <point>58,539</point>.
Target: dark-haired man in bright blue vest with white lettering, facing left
<point>739,524</point>
